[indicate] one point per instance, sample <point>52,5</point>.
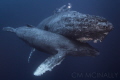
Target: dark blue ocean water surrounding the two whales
<point>14,52</point>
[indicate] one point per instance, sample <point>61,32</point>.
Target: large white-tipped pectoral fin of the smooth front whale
<point>50,63</point>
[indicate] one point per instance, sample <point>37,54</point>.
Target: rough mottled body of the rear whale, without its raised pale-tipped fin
<point>75,25</point>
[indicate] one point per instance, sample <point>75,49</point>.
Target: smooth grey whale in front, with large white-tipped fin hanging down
<point>52,43</point>
